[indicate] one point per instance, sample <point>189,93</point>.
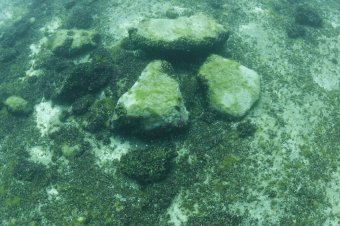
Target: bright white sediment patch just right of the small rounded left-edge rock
<point>47,116</point>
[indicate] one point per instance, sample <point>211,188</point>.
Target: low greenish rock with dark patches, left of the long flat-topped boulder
<point>69,43</point>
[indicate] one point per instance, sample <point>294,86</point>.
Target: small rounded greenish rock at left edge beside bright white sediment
<point>17,105</point>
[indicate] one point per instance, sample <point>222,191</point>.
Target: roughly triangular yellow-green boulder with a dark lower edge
<point>154,102</point>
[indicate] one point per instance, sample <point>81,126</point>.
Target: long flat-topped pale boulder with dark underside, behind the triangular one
<point>183,35</point>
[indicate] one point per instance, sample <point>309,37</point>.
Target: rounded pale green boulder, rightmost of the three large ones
<point>232,88</point>
